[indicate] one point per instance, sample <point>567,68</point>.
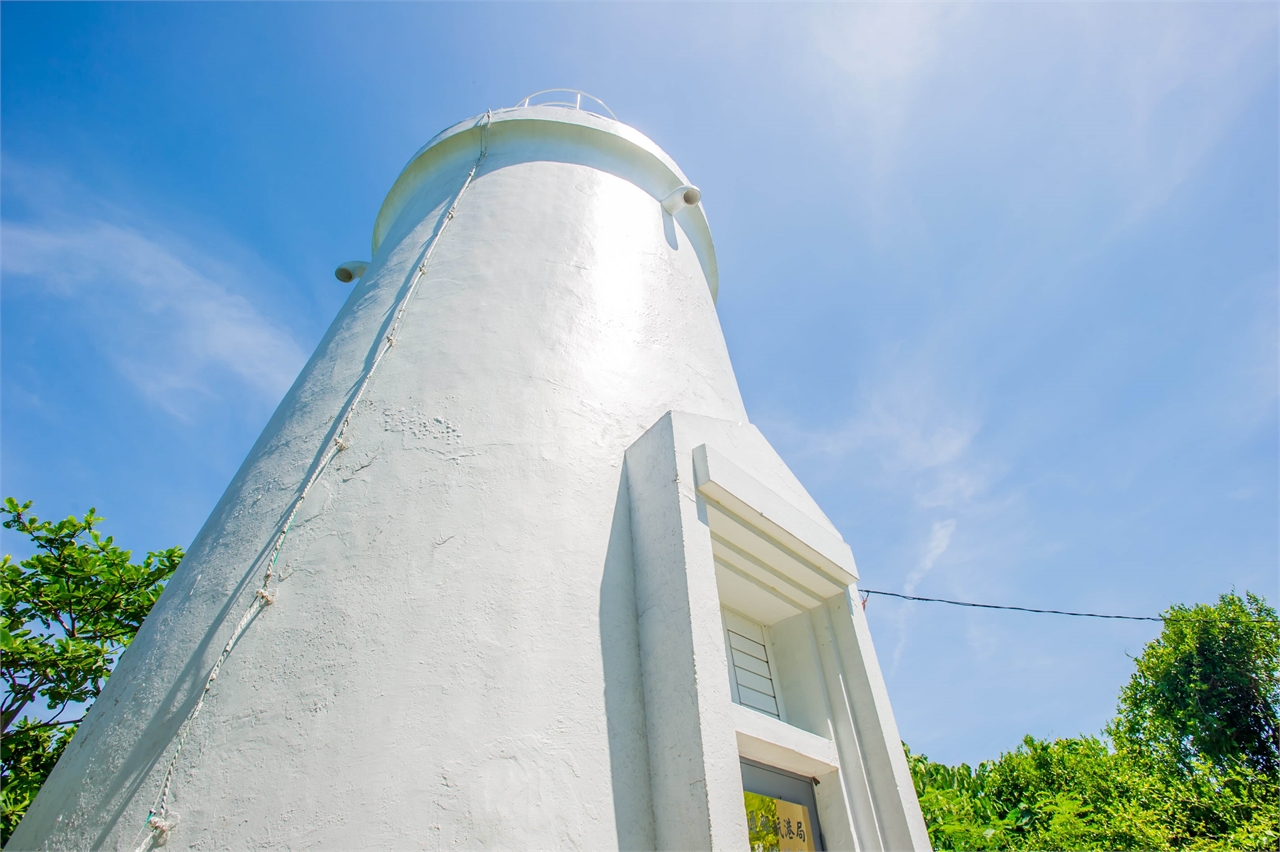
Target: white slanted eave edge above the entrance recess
<point>724,483</point>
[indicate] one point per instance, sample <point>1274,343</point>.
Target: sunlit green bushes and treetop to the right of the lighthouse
<point>1190,764</point>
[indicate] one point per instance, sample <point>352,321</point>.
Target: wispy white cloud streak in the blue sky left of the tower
<point>154,309</point>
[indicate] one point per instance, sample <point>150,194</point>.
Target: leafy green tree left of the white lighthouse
<point>66,616</point>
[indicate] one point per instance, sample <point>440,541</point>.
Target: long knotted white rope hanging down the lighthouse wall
<point>159,822</point>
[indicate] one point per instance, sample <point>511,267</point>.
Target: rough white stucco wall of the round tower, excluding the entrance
<point>452,657</point>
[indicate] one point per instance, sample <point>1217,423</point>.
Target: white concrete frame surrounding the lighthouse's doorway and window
<point>826,663</point>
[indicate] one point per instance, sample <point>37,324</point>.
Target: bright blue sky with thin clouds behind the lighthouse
<point>1000,282</point>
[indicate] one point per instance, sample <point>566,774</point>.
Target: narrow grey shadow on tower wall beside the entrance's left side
<point>624,690</point>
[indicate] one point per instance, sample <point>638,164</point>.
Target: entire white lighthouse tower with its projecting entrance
<point>509,569</point>
